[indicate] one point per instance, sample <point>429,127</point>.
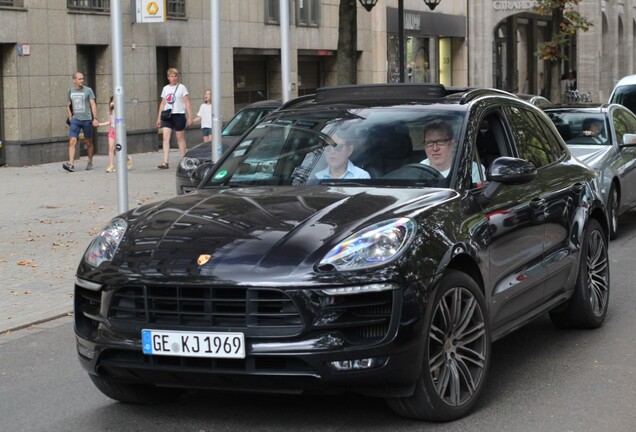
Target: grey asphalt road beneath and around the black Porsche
<point>542,379</point>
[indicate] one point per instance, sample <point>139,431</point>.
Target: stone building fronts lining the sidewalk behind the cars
<point>475,43</point>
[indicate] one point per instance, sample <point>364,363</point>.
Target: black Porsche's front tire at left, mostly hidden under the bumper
<point>138,394</point>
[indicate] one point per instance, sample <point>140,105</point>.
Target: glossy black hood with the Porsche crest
<point>252,234</point>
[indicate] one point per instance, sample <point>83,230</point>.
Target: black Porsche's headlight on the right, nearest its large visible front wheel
<point>373,246</point>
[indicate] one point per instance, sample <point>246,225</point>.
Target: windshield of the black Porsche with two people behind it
<point>362,146</point>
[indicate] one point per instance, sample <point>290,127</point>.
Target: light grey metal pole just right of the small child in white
<point>215,46</point>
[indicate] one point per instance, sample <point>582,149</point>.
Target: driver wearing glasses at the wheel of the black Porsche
<point>439,145</point>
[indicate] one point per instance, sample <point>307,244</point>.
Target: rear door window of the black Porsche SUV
<point>530,139</point>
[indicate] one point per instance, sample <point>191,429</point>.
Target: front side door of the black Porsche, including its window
<point>515,227</point>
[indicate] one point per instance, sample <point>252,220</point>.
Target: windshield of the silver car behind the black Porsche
<point>581,127</point>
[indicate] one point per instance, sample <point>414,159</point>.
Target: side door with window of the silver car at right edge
<point>624,121</point>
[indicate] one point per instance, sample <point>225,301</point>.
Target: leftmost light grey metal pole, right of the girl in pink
<point>116,16</point>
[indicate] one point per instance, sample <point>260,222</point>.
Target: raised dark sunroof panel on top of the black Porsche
<point>381,93</point>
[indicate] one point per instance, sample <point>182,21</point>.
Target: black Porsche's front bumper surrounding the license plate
<point>279,358</point>
